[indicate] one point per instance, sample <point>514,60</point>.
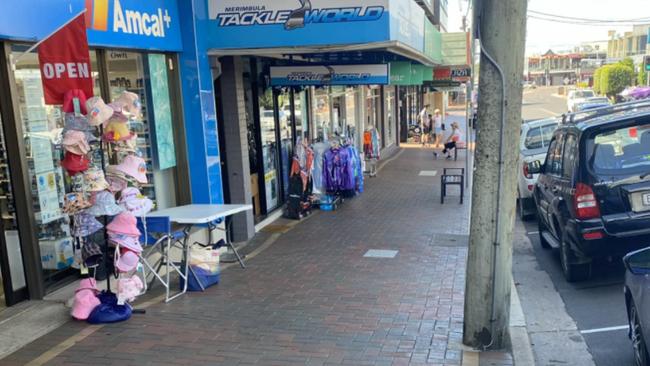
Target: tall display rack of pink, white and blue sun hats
<point>105,175</point>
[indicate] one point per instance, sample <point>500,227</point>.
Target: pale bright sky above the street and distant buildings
<point>542,35</point>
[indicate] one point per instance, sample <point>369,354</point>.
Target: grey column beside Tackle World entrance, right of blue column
<point>236,142</point>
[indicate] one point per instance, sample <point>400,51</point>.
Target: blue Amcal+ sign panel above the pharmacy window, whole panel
<point>151,24</point>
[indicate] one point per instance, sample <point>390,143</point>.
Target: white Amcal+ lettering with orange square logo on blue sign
<point>126,20</point>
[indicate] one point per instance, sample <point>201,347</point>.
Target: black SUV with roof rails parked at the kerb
<point>593,191</point>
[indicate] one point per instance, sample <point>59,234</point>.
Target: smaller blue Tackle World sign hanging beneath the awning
<point>330,75</point>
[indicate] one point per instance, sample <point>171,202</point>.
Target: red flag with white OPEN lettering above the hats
<point>65,62</point>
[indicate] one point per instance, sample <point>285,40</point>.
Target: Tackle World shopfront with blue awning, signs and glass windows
<point>290,69</point>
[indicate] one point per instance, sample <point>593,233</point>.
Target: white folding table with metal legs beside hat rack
<point>201,214</point>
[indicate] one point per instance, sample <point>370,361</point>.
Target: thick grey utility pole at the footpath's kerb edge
<point>502,33</point>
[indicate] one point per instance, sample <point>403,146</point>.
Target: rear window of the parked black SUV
<point>620,153</point>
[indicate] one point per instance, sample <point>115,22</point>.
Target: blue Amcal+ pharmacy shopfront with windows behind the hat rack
<point>148,48</point>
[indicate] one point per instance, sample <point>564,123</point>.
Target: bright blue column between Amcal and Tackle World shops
<point>199,107</point>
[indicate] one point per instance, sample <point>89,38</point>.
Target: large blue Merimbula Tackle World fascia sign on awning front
<point>291,23</point>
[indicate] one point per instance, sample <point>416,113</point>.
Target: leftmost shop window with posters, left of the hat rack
<point>42,126</point>
